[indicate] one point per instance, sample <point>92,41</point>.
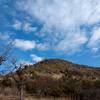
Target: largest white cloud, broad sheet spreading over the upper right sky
<point>62,20</point>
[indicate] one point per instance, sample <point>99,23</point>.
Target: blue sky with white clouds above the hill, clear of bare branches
<point>57,29</point>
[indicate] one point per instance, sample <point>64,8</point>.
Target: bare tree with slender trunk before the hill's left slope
<point>17,74</point>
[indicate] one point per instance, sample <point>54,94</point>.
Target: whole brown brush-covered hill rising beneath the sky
<point>56,78</point>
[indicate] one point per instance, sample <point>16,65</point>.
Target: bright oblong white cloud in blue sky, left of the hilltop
<point>24,44</point>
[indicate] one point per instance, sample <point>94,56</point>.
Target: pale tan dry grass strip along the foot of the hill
<point>11,94</point>
